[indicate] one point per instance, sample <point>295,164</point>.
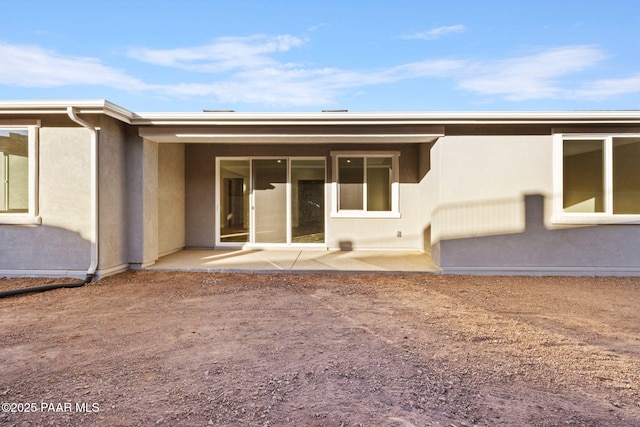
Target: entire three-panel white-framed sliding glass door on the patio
<point>271,201</point>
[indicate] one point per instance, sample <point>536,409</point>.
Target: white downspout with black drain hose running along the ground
<point>91,271</point>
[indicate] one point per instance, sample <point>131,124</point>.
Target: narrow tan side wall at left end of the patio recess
<point>171,198</point>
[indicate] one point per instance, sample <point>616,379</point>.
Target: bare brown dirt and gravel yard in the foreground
<point>196,349</point>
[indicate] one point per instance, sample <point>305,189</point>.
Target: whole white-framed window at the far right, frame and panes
<point>597,178</point>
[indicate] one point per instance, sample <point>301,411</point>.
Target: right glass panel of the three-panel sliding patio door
<point>307,201</point>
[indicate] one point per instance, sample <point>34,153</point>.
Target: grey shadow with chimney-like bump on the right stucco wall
<point>535,246</point>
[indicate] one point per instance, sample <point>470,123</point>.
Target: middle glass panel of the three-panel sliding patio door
<point>270,200</point>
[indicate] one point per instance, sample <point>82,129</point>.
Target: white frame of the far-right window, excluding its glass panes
<point>588,218</point>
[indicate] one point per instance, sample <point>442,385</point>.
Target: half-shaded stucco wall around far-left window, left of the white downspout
<point>60,245</point>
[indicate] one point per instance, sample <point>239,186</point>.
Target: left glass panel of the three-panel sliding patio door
<point>234,200</point>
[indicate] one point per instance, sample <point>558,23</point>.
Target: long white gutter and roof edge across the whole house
<point>323,118</point>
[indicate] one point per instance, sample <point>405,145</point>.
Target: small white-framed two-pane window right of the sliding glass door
<point>365,185</point>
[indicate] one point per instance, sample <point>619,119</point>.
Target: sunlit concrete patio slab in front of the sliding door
<point>296,260</point>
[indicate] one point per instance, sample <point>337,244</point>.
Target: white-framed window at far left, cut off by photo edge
<point>17,175</point>
